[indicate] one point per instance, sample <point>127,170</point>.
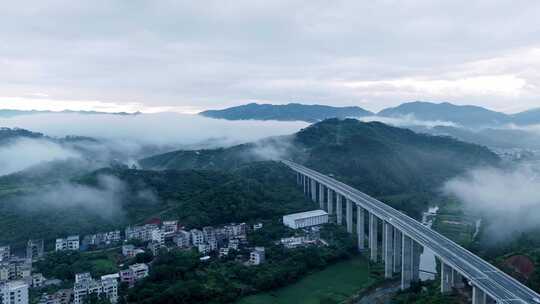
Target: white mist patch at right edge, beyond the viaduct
<point>507,197</point>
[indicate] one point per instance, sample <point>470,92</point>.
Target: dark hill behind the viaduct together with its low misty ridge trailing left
<point>376,158</point>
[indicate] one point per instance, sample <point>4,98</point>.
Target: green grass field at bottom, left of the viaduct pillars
<point>337,282</point>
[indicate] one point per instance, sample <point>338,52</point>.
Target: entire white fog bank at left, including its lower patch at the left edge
<point>126,139</point>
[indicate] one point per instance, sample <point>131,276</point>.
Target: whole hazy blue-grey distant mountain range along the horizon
<point>467,116</point>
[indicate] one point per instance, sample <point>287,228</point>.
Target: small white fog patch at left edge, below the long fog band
<point>27,152</point>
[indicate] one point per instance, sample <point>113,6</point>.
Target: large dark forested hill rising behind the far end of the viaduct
<point>386,160</point>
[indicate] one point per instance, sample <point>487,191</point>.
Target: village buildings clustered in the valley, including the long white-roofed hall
<point>16,275</point>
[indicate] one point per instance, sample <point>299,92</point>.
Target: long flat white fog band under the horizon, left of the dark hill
<point>153,129</point>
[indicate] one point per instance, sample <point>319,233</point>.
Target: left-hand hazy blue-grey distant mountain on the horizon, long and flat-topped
<point>288,112</point>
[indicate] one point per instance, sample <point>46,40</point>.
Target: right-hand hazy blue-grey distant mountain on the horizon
<point>462,115</point>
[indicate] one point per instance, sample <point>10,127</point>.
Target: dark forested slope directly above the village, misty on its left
<point>113,198</point>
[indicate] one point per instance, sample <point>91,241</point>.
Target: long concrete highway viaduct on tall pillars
<point>402,239</point>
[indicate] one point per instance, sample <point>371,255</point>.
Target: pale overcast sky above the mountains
<point>191,55</point>
